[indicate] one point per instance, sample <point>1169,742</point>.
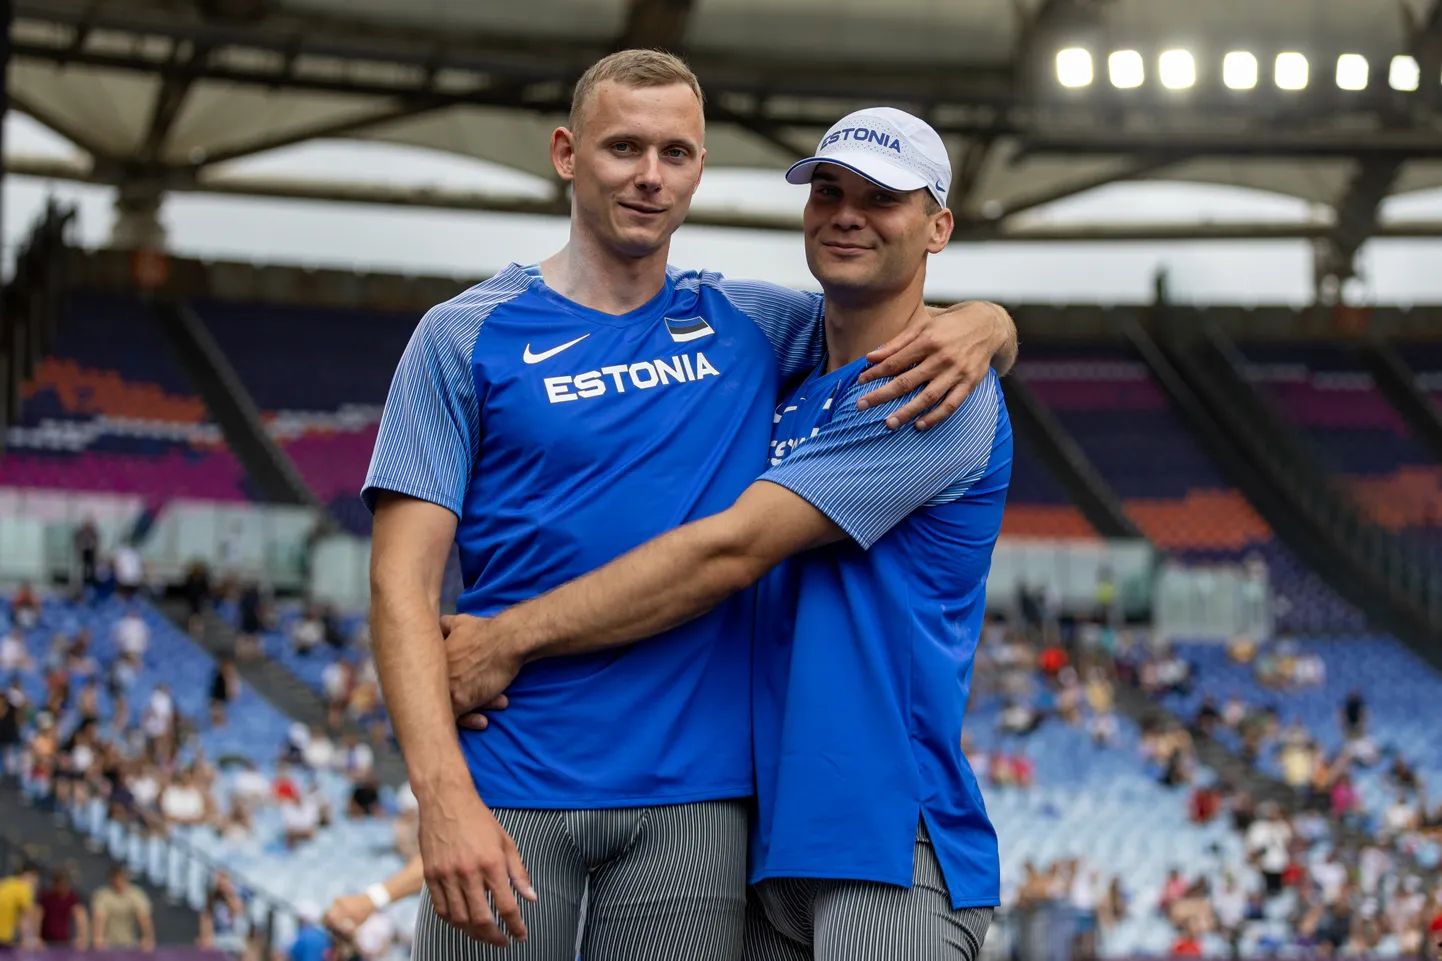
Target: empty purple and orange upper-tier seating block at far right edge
<point>1335,403</point>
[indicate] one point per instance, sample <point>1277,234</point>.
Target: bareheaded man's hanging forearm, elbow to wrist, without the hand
<point>410,659</point>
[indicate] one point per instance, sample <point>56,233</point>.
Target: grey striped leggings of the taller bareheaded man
<point>663,884</point>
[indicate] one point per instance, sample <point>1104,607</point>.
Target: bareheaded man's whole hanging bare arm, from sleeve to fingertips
<point>466,852</point>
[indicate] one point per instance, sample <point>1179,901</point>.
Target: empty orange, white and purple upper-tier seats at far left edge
<point>110,411</point>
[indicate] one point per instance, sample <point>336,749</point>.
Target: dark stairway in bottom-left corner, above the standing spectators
<point>51,842</point>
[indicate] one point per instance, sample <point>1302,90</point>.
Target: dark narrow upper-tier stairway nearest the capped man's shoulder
<point>1039,429</point>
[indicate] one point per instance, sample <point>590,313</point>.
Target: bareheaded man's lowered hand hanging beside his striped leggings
<point>468,856</point>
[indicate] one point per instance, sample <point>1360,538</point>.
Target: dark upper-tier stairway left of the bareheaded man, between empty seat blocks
<point>270,468</point>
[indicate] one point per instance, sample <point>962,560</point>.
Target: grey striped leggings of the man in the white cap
<point>815,920</point>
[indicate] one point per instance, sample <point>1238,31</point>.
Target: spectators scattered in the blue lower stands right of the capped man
<point>1322,877</point>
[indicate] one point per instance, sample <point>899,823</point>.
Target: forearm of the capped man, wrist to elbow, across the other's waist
<point>645,592</point>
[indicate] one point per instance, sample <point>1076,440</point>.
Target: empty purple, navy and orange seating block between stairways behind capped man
<point>1127,426</point>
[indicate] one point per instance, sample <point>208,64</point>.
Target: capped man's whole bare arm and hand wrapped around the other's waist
<point>641,594</point>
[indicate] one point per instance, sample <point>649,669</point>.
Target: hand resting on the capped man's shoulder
<point>950,353</point>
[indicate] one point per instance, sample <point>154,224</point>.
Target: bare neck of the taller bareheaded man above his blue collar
<point>598,278</point>
